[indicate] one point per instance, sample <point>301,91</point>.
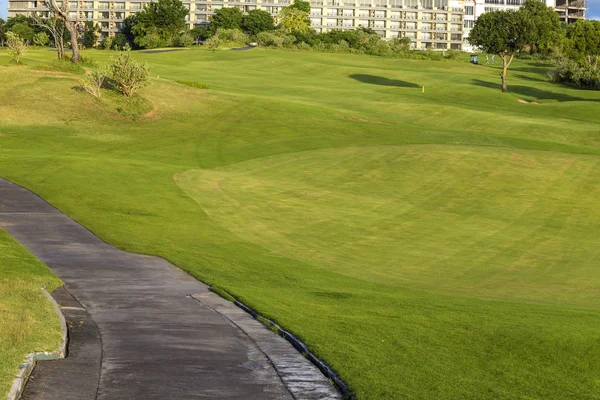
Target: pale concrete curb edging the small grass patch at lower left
<point>31,359</point>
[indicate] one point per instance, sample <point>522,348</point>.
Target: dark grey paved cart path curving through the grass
<point>156,341</point>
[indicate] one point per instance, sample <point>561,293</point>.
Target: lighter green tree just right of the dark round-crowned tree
<point>544,25</point>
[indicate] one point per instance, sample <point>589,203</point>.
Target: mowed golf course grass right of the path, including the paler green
<point>426,235</point>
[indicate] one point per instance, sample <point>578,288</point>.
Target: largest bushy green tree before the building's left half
<point>164,19</point>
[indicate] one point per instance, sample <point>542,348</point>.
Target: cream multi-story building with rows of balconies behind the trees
<point>430,24</point>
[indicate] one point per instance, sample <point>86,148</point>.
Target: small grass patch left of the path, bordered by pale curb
<point>28,321</point>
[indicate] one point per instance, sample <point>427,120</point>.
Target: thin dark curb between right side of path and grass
<point>298,344</point>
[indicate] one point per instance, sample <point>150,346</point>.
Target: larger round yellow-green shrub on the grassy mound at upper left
<point>129,75</point>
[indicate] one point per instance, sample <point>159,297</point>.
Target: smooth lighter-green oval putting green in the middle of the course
<point>472,221</point>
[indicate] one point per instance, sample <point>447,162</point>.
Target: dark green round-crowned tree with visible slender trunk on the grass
<point>503,33</point>
